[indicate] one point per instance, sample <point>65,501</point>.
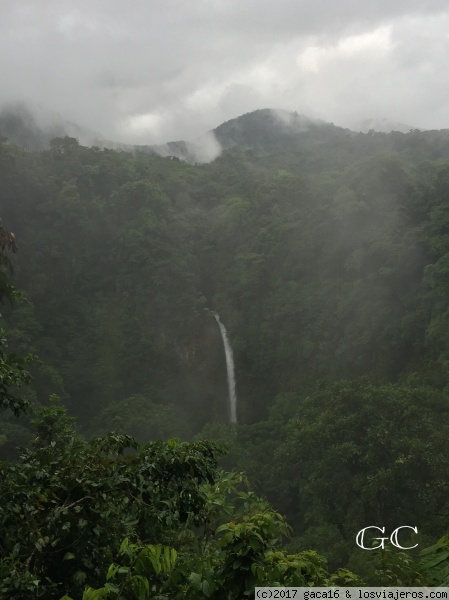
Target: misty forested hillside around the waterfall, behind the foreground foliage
<point>326,255</point>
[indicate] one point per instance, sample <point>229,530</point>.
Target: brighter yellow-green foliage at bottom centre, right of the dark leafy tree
<point>239,557</point>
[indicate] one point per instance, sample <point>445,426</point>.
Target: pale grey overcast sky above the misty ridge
<point>149,71</point>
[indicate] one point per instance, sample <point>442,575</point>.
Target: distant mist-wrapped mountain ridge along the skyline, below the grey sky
<point>263,132</point>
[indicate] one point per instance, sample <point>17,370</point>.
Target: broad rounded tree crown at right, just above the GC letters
<point>358,453</point>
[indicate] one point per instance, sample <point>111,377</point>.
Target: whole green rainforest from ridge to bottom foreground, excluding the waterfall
<point>326,255</point>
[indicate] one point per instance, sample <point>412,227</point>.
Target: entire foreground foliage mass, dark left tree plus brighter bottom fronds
<point>68,504</point>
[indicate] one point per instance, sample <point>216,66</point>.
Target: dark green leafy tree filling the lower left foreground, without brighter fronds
<point>67,503</point>
